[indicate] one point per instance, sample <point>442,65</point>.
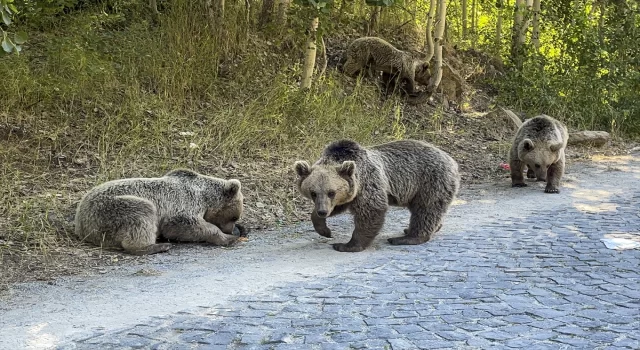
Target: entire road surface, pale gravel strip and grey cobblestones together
<point>511,268</point>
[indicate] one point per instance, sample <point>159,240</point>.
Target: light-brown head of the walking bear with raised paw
<point>327,185</point>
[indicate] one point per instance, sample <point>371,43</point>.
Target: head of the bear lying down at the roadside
<point>228,209</point>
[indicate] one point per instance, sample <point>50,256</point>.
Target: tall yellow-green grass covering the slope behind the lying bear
<point>99,97</point>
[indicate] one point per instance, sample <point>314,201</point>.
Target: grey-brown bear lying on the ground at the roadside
<point>182,205</point>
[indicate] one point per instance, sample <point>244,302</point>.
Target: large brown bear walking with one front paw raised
<point>411,174</point>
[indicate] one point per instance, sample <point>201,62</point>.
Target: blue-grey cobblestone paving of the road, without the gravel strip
<point>543,281</point>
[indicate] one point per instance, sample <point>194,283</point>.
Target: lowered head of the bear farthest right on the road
<point>539,156</point>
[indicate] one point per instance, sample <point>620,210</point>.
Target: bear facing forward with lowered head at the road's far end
<point>539,144</point>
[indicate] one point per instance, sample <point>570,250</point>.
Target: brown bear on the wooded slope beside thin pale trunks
<point>397,66</point>
